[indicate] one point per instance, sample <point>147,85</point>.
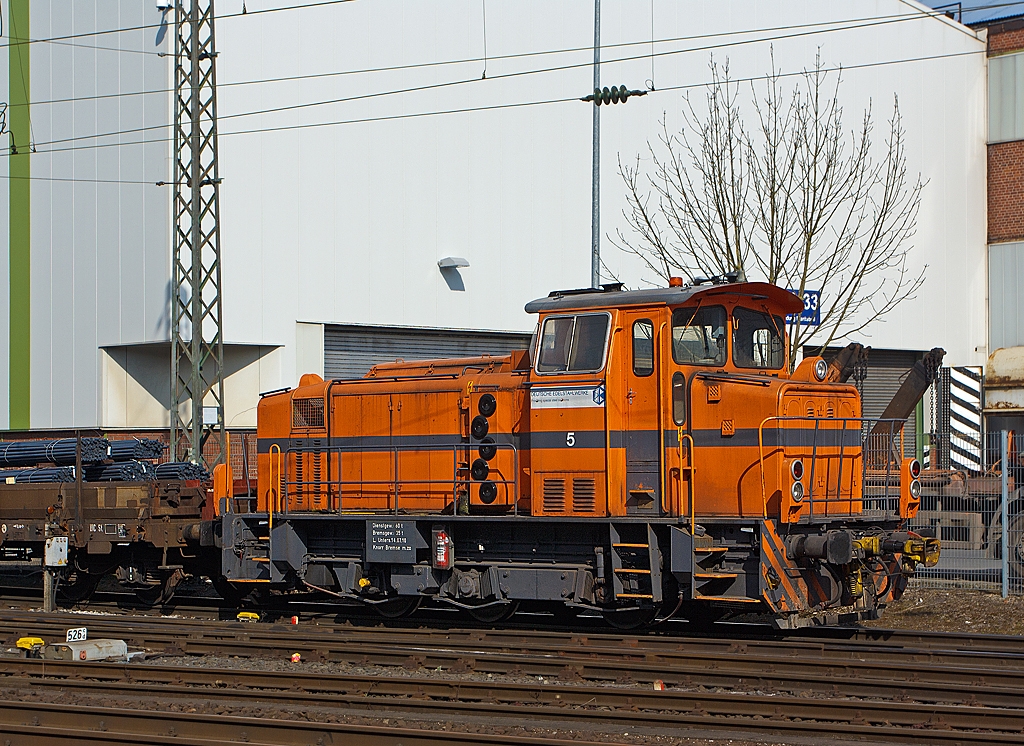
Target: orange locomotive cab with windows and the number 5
<point>628,387</point>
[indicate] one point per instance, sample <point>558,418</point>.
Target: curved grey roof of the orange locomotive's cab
<point>615,297</point>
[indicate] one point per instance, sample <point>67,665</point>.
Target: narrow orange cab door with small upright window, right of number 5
<point>643,437</point>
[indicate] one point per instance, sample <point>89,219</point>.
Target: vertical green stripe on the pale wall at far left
<point>21,217</point>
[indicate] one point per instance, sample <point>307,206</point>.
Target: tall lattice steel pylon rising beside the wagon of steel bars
<point>197,342</point>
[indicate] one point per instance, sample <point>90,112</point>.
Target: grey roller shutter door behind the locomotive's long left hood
<point>351,352</point>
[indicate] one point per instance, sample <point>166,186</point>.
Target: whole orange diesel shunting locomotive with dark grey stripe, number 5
<point>651,454</point>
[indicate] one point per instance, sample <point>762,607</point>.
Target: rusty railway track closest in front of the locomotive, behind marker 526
<point>799,668</point>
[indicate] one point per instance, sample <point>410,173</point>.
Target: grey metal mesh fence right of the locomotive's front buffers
<point>971,491</point>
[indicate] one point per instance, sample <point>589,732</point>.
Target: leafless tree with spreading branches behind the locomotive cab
<point>797,201</point>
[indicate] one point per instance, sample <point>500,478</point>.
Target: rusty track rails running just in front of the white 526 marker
<point>554,706</point>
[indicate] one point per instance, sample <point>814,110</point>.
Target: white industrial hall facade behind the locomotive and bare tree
<point>362,144</point>
